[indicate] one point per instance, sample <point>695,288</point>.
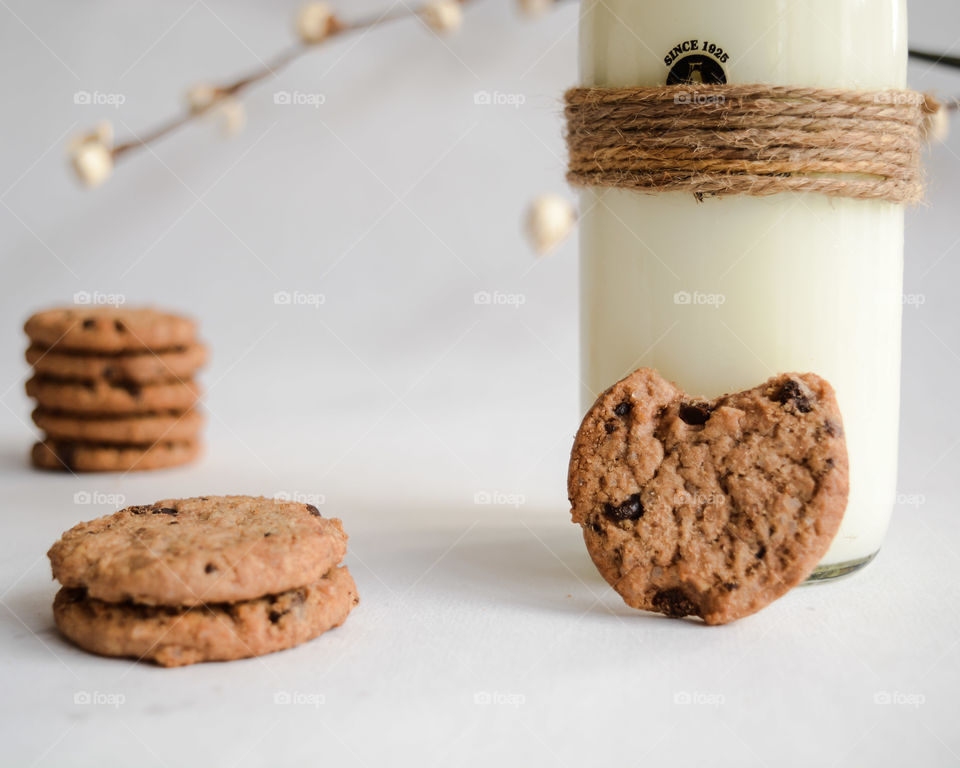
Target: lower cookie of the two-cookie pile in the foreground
<point>173,637</point>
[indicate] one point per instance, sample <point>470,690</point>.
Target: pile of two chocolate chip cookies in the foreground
<point>212,578</point>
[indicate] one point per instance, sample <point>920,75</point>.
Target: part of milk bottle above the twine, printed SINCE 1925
<point>817,43</point>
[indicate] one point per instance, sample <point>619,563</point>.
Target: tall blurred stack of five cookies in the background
<point>115,388</point>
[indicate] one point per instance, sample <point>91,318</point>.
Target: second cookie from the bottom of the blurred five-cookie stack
<point>145,429</point>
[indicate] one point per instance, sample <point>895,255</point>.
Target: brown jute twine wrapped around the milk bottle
<point>715,140</point>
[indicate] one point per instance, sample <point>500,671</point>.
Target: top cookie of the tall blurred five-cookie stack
<point>109,329</point>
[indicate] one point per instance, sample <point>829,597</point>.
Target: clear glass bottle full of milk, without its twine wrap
<point>721,294</point>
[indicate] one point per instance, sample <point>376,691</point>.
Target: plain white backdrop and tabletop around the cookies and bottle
<point>484,632</point>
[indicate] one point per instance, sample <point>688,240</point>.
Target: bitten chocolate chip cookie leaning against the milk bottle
<point>709,508</point>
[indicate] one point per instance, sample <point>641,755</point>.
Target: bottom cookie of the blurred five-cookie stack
<point>74,456</point>
